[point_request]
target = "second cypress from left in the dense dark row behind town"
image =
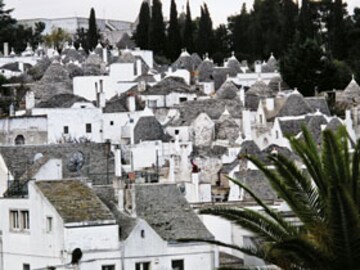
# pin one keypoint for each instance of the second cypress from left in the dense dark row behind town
(157, 37)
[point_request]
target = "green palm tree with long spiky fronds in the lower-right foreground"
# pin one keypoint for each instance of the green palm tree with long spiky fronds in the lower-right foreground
(324, 198)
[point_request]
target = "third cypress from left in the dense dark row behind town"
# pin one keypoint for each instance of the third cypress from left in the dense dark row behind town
(173, 38)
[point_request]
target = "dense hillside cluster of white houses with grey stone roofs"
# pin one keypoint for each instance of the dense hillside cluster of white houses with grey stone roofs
(106, 160)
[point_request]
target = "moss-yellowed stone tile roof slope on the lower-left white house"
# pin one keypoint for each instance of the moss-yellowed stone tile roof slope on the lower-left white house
(74, 201)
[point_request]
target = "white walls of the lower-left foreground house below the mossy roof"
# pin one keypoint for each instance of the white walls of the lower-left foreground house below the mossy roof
(40, 245)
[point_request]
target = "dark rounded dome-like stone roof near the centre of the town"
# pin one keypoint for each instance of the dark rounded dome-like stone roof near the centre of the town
(149, 129)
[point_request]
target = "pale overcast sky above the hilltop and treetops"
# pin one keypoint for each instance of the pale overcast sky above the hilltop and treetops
(126, 10)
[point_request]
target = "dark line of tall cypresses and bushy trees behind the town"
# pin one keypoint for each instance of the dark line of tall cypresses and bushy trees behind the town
(317, 44)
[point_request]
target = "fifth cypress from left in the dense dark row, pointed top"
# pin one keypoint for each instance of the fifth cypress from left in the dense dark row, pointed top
(205, 35)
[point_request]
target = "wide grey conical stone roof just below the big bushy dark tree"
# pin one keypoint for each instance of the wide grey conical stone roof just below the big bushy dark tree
(295, 105)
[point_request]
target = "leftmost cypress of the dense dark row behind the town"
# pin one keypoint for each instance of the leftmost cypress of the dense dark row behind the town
(141, 35)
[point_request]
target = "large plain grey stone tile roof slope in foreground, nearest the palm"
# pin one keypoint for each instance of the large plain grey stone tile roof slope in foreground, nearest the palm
(166, 210)
